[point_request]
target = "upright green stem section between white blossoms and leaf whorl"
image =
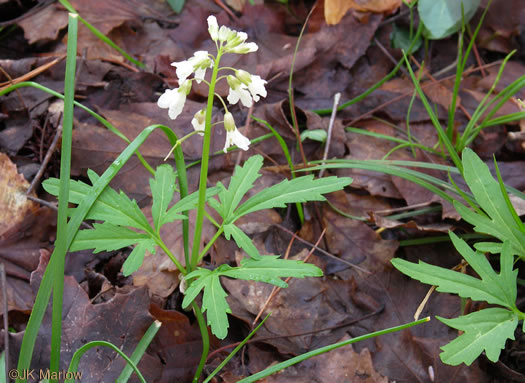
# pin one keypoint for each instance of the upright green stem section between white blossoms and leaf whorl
(204, 168)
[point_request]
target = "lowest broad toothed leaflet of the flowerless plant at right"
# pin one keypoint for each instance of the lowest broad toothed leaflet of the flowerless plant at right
(486, 330)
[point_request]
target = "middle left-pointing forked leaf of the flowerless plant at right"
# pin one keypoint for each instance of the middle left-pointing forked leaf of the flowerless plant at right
(493, 288)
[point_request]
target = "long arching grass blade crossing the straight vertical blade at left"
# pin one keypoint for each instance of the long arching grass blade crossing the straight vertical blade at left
(44, 292)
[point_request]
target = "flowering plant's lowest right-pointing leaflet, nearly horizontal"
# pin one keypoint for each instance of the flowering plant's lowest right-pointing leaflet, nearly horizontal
(270, 268)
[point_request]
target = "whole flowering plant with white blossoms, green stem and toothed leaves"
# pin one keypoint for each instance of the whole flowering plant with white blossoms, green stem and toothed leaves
(122, 223)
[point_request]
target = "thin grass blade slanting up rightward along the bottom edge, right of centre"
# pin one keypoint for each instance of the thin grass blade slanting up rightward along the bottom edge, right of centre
(281, 366)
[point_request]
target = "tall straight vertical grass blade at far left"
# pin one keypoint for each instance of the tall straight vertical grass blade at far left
(61, 245)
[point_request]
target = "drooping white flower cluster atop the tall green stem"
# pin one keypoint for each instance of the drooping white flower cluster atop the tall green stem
(243, 86)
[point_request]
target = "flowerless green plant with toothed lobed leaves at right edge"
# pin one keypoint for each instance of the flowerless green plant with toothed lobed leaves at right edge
(488, 329)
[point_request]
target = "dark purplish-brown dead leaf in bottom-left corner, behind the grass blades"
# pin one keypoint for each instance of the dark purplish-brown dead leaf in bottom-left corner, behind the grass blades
(123, 320)
